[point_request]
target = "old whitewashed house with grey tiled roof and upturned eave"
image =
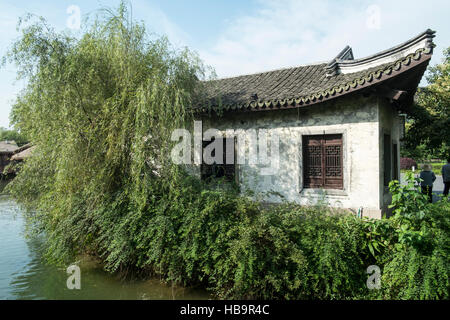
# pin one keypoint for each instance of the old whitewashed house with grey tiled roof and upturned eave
(339, 126)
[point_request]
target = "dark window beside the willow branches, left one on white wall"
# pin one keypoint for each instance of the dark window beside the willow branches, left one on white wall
(221, 170)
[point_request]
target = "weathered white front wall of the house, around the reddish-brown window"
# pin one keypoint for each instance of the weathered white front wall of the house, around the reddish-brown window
(355, 117)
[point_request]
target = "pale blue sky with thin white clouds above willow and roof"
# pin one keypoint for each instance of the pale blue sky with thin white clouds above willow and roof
(238, 37)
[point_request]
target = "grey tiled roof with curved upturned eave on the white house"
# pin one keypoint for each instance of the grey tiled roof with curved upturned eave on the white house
(310, 84)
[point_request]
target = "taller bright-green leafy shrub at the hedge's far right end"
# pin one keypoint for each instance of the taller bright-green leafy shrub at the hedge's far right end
(419, 265)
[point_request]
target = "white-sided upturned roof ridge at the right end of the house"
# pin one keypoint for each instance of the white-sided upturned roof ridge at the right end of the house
(342, 64)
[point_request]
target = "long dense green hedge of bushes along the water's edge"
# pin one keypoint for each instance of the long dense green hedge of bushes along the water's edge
(193, 236)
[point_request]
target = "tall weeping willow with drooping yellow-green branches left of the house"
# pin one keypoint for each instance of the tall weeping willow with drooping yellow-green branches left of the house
(100, 109)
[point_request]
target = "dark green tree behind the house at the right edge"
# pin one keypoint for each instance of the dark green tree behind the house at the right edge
(429, 122)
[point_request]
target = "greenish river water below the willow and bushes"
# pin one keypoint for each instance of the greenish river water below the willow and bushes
(25, 275)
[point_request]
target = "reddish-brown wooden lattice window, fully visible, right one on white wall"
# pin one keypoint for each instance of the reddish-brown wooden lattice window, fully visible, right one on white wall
(322, 161)
